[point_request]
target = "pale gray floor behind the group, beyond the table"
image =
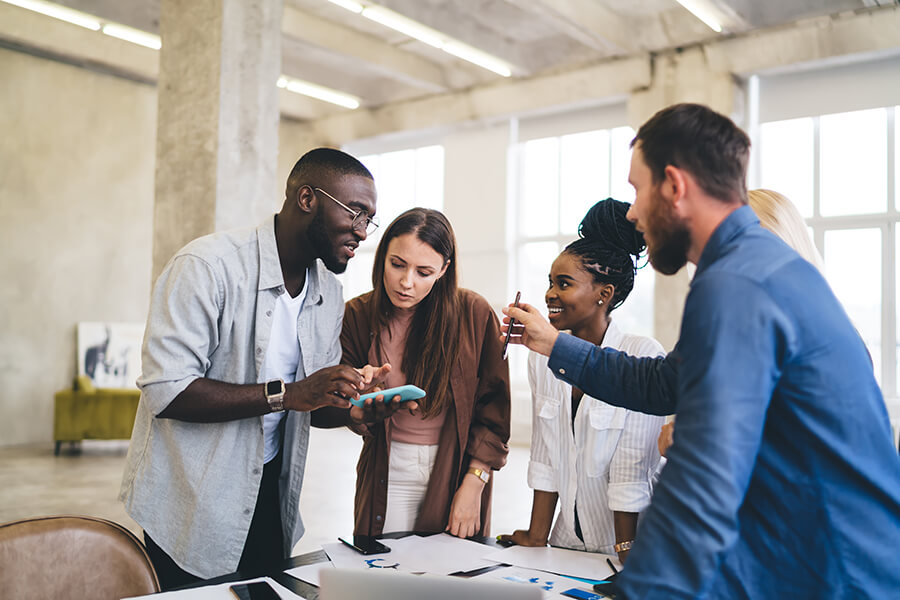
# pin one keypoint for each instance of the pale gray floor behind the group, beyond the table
(34, 482)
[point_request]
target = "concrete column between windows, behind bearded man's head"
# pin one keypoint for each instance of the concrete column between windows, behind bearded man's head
(682, 77)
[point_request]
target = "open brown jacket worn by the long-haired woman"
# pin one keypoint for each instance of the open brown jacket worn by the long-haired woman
(477, 422)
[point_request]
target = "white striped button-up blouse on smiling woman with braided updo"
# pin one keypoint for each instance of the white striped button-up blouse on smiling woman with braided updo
(606, 464)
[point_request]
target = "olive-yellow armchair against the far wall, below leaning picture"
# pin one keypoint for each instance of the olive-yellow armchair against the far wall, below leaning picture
(86, 412)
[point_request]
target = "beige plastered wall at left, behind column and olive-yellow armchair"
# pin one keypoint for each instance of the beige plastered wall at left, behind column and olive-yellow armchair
(76, 217)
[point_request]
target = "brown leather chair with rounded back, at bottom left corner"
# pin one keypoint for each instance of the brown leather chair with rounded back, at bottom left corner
(72, 557)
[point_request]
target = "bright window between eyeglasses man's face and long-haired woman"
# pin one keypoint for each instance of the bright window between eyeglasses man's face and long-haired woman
(404, 179)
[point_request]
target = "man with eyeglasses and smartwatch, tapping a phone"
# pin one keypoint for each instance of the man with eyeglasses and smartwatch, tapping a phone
(242, 342)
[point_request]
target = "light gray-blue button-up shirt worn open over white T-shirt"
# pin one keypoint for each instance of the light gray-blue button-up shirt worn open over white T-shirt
(193, 486)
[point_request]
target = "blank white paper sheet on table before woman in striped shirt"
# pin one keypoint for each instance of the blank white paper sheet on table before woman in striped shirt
(574, 563)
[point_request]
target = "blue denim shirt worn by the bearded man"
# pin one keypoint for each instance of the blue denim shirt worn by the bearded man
(783, 480)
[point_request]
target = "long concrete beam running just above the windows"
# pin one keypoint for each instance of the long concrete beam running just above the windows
(830, 38)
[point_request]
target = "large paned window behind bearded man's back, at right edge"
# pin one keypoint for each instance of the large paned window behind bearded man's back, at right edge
(841, 172)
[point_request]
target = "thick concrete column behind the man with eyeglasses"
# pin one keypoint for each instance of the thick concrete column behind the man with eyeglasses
(217, 133)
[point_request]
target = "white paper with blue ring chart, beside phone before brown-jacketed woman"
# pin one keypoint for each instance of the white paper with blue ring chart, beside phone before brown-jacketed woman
(440, 554)
